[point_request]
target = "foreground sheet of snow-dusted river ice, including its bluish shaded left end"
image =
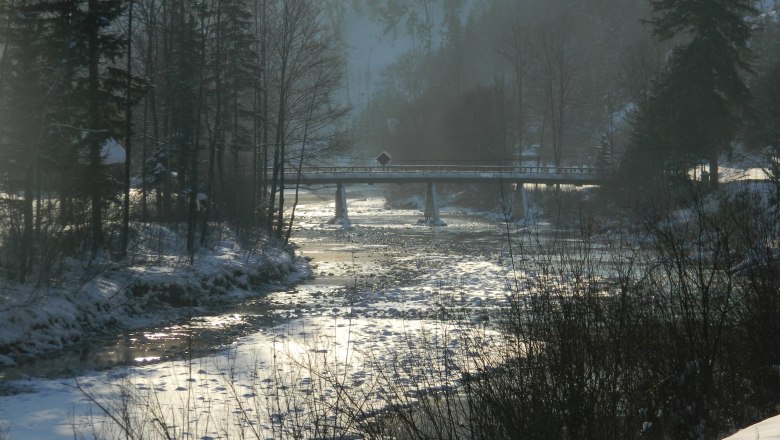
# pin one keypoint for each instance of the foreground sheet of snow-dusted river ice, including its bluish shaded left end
(303, 369)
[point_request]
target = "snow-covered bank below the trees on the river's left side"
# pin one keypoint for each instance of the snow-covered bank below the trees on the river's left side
(154, 284)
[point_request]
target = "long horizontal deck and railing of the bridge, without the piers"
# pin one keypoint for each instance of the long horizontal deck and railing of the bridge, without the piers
(450, 173)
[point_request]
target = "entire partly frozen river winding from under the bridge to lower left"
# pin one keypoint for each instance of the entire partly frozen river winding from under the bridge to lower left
(392, 305)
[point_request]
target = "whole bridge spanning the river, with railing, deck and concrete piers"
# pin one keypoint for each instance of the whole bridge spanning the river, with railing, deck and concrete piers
(432, 174)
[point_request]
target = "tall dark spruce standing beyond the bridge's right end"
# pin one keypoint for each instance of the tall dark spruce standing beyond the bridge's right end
(699, 98)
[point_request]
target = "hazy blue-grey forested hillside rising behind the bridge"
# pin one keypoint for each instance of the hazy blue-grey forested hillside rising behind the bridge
(481, 81)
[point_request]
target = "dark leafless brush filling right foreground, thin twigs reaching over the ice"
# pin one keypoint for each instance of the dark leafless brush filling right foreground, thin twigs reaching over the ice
(666, 334)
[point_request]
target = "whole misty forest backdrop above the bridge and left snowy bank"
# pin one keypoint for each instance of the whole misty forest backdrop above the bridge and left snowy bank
(217, 101)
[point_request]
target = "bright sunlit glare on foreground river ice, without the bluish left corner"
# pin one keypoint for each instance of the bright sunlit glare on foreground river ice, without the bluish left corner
(295, 377)
